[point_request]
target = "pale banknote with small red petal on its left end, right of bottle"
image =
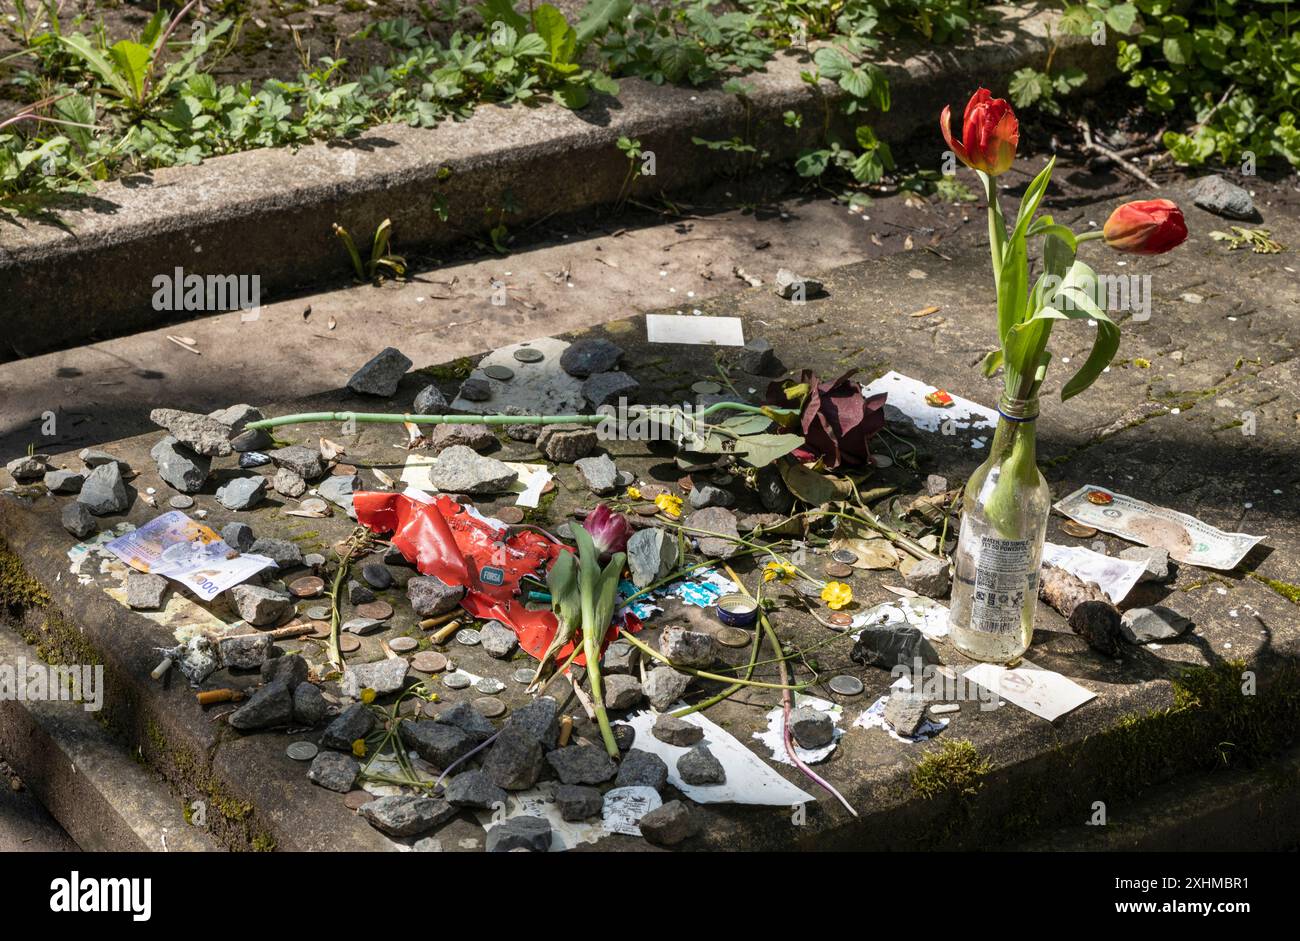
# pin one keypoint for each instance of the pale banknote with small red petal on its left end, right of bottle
(1188, 539)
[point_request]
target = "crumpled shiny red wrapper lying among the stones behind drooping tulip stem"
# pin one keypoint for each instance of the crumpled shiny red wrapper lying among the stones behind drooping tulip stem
(462, 547)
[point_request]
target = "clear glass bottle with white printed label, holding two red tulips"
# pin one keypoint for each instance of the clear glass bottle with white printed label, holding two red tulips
(1000, 544)
